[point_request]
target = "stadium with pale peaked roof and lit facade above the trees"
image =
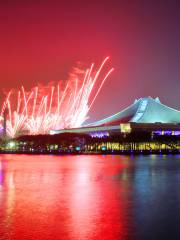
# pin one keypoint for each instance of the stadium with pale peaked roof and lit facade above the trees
(144, 114)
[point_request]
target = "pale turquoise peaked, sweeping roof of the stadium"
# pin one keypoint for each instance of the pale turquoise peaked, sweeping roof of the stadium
(143, 110)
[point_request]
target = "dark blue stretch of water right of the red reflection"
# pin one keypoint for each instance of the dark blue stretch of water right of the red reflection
(156, 197)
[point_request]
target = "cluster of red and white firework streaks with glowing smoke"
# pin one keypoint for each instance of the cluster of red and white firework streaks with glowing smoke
(65, 105)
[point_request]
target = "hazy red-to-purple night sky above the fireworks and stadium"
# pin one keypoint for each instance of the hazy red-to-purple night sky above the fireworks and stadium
(42, 40)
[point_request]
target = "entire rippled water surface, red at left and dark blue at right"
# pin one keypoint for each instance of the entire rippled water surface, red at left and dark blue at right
(89, 197)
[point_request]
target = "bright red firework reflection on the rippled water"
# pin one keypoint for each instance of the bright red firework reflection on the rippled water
(74, 197)
